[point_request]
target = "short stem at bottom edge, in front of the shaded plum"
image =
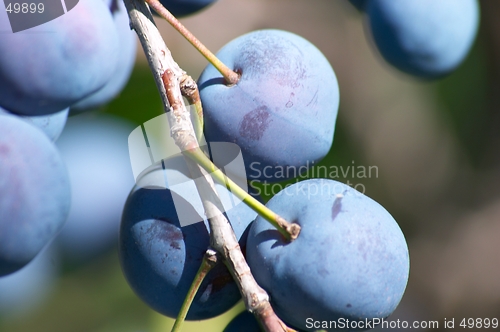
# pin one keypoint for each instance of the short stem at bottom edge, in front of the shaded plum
(210, 259)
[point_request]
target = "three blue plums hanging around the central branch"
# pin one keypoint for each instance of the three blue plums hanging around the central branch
(350, 259)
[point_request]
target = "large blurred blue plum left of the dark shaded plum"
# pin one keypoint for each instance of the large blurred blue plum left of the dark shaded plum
(94, 149)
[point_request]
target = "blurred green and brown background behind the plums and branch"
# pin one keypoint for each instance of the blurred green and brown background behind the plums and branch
(436, 146)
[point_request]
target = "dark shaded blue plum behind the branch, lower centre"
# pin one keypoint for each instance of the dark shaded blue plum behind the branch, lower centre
(160, 252)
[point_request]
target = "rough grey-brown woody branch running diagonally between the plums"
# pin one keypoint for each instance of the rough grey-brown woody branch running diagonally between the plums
(168, 77)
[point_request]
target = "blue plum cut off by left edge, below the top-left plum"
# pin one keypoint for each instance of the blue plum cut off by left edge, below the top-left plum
(34, 193)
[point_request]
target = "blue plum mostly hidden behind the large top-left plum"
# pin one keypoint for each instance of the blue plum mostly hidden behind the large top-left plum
(124, 63)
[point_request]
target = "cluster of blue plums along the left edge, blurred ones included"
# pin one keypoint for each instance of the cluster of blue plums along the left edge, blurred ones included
(66, 187)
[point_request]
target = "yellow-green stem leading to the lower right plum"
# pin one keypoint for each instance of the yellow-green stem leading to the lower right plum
(289, 230)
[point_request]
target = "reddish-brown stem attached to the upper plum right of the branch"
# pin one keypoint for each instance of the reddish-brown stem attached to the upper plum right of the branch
(231, 76)
